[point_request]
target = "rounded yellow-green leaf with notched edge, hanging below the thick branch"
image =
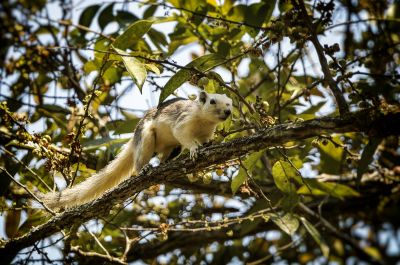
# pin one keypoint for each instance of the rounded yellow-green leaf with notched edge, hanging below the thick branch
(282, 172)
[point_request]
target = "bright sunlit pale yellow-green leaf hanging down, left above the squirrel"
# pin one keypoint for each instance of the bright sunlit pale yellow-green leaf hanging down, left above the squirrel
(136, 68)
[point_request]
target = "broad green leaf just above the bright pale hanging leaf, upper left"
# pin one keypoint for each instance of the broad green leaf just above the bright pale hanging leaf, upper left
(132, 34)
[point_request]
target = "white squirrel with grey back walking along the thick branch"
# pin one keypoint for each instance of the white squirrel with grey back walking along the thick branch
(176, 122)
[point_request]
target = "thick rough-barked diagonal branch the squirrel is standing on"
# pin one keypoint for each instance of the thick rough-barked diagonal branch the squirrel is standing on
(365, 121)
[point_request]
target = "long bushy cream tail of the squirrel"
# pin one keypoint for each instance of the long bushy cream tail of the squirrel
(119, 169)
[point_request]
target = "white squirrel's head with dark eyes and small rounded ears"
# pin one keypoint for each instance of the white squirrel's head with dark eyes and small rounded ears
(217, 107)
